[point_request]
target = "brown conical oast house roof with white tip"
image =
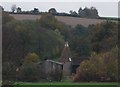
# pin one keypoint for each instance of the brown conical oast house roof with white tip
(66, 53)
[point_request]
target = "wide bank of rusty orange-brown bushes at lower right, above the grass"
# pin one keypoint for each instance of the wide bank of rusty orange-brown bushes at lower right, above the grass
(100, 67)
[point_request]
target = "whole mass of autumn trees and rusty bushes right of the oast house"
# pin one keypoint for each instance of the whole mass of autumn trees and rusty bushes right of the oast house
(103, 62)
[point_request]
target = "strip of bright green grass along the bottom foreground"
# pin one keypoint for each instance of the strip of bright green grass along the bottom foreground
(61, 84)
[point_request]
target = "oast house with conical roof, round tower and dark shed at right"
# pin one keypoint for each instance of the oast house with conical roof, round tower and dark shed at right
(70, 64)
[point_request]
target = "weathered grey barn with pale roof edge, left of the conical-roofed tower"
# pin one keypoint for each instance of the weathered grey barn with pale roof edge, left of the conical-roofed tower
(53, 70)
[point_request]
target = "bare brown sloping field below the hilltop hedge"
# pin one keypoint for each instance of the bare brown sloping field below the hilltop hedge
(73, 21)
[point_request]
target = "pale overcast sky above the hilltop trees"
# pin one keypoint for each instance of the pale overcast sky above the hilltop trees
(106, 8)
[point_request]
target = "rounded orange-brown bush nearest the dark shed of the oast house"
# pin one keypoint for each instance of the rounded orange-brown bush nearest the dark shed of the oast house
(86, 72)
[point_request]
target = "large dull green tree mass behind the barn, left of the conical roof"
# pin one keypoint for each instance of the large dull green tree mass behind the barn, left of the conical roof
(35, 38)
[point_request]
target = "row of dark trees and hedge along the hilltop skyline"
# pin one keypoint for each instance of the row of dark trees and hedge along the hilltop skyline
(84, 13)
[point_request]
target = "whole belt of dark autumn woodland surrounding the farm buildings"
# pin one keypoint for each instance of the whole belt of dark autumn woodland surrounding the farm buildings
(28, 42)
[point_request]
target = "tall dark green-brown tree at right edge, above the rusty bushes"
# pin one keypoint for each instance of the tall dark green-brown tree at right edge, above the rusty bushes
(103, 34)
